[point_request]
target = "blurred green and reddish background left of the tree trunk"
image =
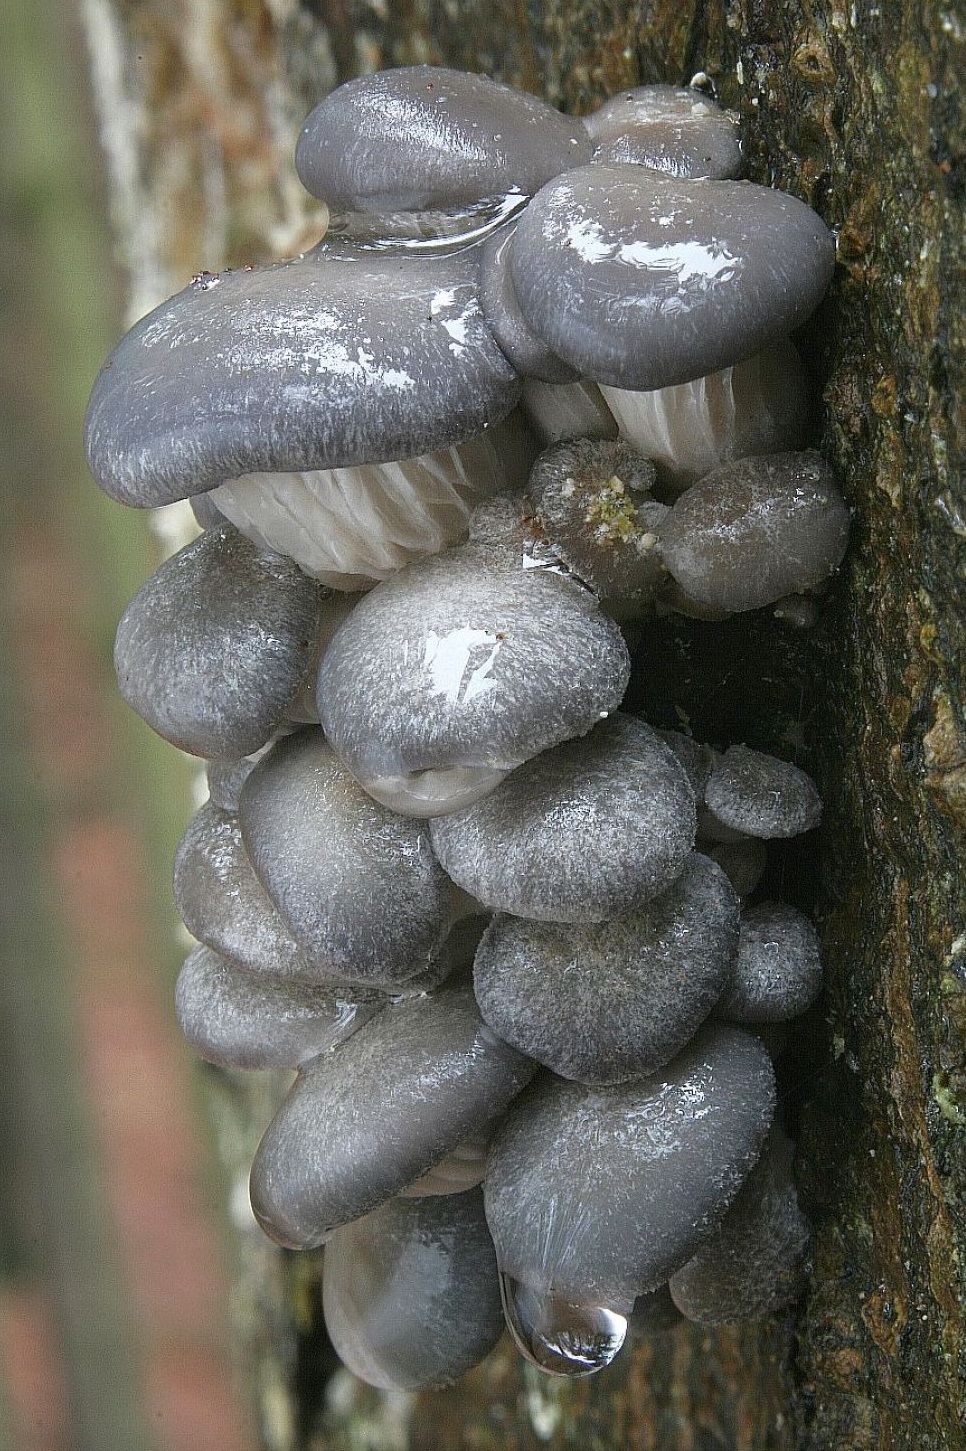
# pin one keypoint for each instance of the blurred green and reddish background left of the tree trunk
(114, 1278)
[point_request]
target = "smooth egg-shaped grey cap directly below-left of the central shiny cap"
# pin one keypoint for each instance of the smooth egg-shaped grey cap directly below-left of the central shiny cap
(358, 886)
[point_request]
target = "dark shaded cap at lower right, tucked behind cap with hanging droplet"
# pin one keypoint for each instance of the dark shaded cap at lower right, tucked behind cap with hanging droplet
(754, 1263)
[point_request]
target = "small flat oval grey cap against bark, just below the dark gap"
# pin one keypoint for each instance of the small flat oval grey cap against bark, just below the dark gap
(762, 796)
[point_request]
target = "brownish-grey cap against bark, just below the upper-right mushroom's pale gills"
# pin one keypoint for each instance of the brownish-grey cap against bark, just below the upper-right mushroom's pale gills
(756, 530)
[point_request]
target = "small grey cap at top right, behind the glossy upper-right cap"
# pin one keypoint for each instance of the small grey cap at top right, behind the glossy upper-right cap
(674, 130)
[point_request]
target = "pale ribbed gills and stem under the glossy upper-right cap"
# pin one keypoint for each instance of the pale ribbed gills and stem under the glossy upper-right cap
(758, 407)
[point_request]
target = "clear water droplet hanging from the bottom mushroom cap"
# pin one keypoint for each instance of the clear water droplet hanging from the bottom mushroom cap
(559, 1337)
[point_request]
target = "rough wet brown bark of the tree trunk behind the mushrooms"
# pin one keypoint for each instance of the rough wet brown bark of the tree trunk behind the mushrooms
(859, 110)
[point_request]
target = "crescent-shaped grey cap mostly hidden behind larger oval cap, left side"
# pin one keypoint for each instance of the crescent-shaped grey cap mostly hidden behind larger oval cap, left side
(223, 903)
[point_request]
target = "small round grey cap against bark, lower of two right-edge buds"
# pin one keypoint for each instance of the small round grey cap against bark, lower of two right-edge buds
(778, 971)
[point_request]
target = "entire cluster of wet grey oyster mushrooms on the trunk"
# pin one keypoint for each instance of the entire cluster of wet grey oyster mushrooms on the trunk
(533, 387)
